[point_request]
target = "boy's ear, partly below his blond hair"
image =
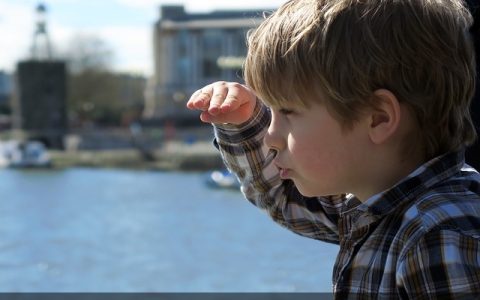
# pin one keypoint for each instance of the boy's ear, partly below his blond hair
(384, 118)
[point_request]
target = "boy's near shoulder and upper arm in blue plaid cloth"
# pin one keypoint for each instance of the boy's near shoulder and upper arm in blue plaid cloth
(441, 234)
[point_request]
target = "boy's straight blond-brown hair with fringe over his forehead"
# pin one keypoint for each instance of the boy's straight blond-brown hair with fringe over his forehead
(338, 52)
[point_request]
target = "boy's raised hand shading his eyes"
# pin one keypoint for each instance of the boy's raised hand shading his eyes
(223, 102)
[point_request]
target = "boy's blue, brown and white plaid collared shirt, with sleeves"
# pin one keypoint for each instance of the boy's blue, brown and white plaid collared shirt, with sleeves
(418, 240)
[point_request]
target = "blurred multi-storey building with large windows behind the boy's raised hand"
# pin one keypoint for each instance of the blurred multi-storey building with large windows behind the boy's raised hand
(192, 50)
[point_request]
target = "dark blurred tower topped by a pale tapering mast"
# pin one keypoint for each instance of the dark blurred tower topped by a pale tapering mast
(39, 106)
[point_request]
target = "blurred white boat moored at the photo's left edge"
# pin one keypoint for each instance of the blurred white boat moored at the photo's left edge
(19, 154)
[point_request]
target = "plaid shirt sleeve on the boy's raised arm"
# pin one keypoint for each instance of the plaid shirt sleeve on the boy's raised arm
(245, 154)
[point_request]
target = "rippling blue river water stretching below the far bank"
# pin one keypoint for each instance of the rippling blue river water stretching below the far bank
(97, 230)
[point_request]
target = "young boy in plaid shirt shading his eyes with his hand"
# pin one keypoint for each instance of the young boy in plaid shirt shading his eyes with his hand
(358, 140)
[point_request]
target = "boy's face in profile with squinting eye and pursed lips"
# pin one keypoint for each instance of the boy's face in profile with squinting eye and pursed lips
(314, 151)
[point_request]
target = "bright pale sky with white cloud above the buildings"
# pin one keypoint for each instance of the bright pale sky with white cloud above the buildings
(124, 25)
